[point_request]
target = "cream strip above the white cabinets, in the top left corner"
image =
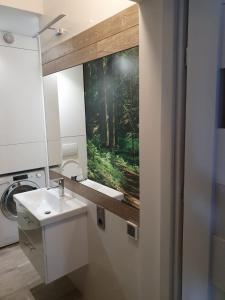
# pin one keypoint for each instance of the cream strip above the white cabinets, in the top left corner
(35, 6)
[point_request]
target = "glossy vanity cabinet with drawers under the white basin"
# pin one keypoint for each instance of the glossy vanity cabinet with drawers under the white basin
(55, 249)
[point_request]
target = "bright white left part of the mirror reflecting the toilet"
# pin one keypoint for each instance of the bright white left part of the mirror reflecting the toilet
(65, 122)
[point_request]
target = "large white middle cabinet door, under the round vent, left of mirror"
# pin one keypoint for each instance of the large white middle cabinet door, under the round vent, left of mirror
(21, 113)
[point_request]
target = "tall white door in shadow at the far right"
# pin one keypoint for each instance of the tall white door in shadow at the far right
(203, 66)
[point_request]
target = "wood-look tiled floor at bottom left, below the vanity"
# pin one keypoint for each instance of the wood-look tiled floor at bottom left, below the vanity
(20, 281)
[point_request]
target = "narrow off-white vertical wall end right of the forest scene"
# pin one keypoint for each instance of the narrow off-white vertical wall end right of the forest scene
(150, 147)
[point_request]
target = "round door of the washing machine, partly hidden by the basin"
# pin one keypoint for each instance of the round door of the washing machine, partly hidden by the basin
(8, 205)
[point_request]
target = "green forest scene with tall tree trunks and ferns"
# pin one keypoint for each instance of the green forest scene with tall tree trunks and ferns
(112, 121)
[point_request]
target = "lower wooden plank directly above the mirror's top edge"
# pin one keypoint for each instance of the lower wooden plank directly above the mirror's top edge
(121, 41)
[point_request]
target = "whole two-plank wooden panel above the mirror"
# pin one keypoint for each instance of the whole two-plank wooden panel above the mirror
(117, 33)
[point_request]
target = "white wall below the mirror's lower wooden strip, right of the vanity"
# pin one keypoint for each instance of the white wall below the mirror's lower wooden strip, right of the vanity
(112, 272)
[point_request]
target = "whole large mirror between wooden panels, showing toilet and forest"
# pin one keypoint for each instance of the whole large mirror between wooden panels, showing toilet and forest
(92, 122)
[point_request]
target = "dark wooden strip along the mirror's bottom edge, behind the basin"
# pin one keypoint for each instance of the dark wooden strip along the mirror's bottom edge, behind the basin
(116, 207)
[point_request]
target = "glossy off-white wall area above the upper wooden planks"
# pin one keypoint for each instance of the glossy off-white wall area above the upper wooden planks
(81, 15)
